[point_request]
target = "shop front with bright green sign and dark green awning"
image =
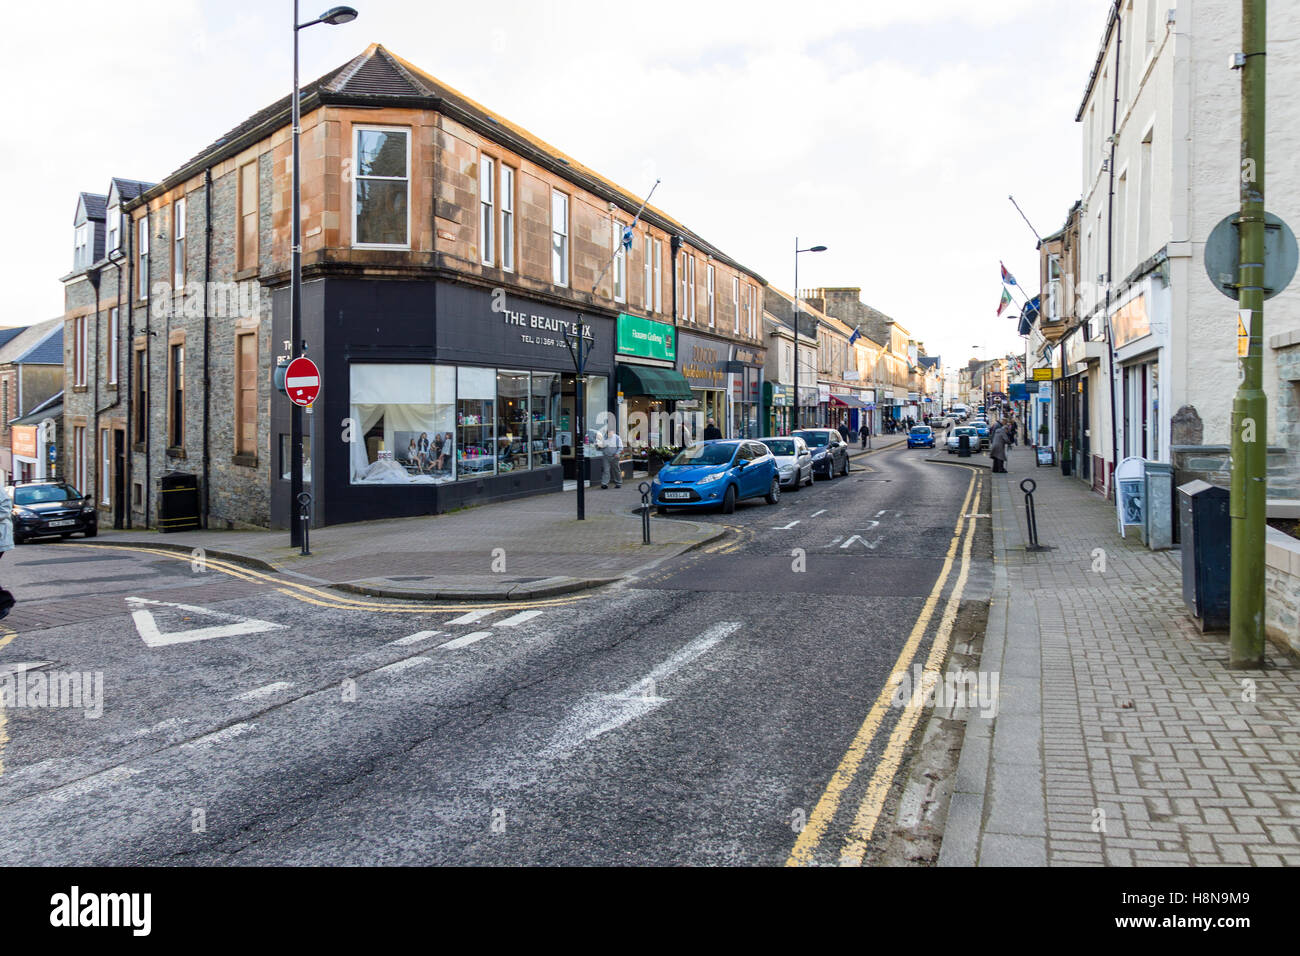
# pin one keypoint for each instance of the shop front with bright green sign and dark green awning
(649, 387)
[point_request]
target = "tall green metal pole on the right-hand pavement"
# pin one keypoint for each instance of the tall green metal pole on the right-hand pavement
(1250, 408)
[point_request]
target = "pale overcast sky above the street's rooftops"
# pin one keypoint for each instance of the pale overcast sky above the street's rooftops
(890, 132)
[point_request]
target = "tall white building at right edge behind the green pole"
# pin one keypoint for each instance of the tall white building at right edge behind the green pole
(1164, 89)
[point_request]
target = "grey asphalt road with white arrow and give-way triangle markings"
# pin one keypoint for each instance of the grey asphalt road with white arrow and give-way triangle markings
(695, 716)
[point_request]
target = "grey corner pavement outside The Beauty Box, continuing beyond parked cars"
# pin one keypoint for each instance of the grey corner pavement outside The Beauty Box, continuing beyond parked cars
(526, 550)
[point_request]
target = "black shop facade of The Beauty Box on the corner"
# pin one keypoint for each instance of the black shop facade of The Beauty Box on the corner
(436, 396)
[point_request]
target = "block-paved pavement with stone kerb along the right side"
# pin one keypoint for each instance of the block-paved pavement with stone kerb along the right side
(1121, 737)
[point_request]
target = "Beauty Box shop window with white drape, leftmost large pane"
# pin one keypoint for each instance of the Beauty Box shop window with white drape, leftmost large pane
(402, 423)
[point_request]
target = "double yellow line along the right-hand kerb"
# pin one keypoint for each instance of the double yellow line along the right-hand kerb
(869, 812)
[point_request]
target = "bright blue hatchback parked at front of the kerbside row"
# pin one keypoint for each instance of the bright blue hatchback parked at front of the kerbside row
(717, 474)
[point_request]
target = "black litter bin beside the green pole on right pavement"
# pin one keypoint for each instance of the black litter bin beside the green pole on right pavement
(1206, 533)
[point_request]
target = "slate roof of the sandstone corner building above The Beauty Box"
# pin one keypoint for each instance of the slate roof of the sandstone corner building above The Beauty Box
(379, 77)
